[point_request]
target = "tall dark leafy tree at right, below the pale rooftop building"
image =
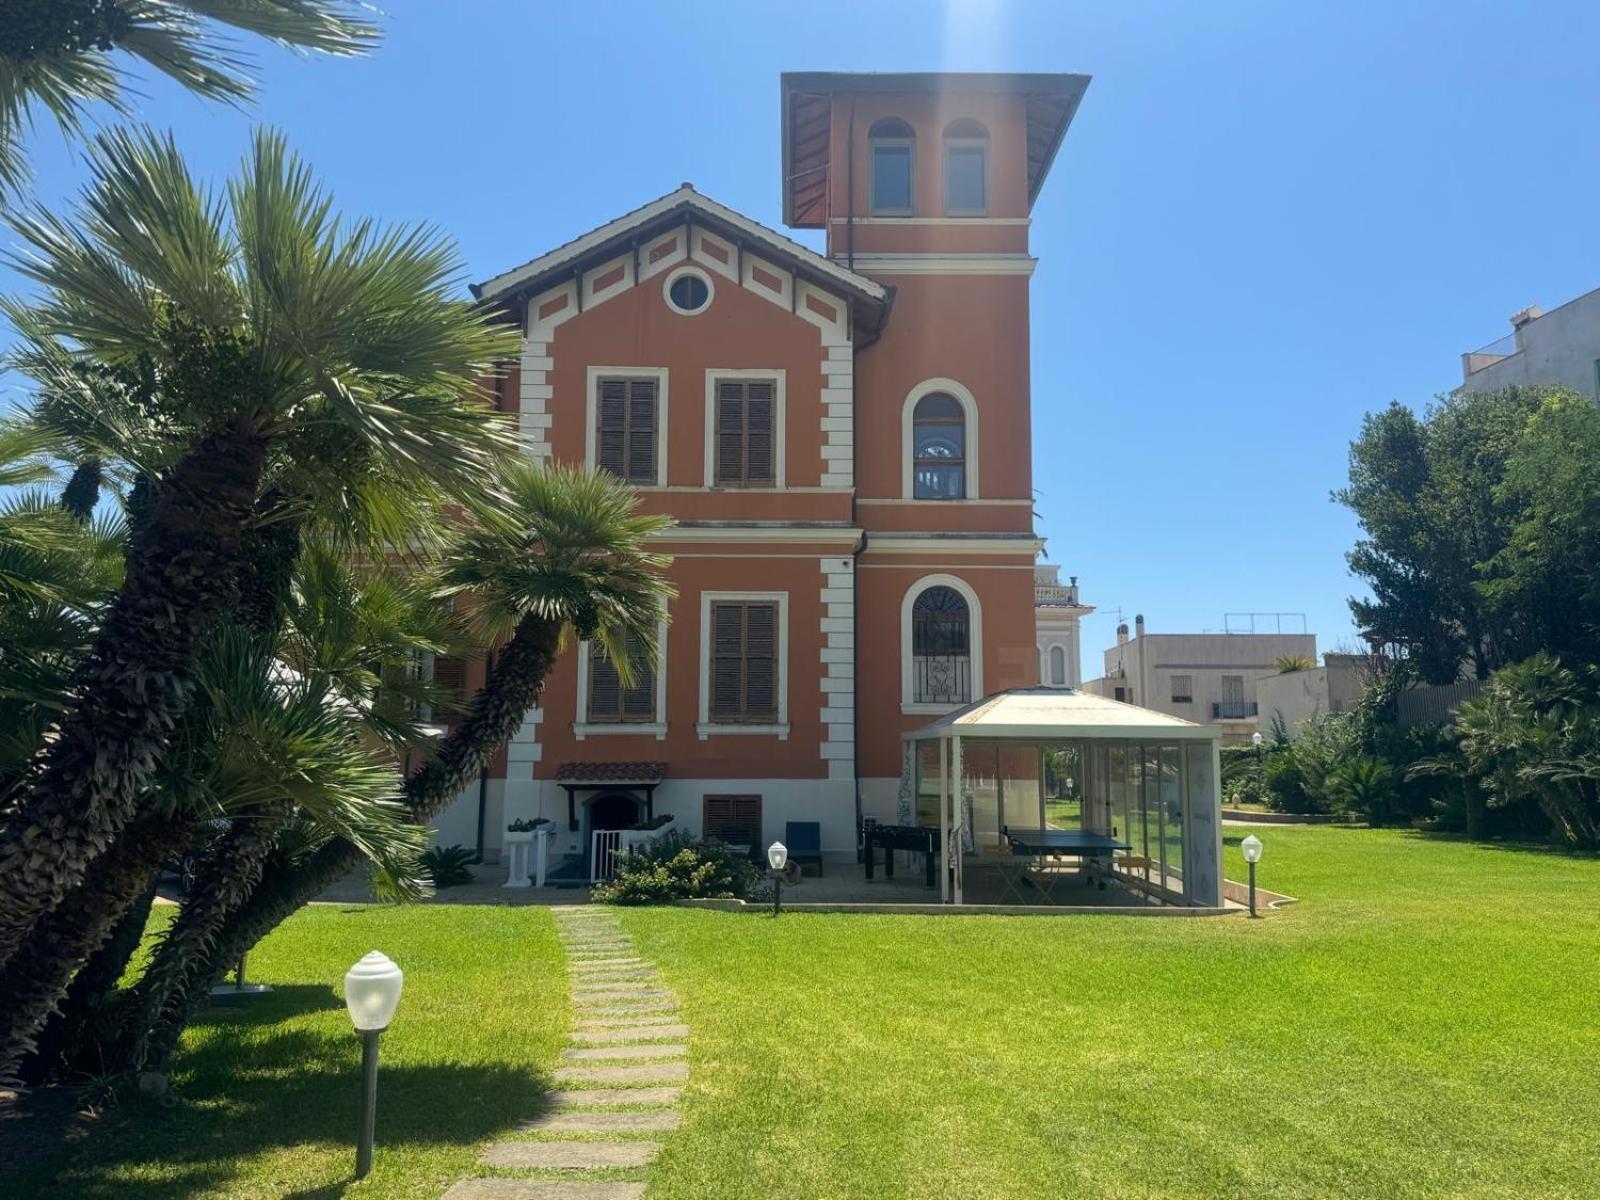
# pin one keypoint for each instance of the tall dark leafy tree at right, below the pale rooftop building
(1471, 553)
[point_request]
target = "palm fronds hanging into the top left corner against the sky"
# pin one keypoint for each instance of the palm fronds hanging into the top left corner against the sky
(58, 57)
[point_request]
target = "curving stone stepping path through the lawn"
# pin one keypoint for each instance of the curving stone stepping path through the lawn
(622, 1079)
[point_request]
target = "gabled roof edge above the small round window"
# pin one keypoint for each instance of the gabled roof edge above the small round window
(663, 214)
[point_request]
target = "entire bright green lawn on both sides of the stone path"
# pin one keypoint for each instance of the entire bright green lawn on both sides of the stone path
(1423, 1025)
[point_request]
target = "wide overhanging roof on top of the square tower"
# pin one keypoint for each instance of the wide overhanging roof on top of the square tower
(809, 97)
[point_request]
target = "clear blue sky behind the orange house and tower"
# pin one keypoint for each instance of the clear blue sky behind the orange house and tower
(1266, 220)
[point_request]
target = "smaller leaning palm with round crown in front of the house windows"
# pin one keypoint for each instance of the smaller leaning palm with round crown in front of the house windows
(564, 553)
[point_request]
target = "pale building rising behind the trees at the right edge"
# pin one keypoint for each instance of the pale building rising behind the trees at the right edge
(1561, 346)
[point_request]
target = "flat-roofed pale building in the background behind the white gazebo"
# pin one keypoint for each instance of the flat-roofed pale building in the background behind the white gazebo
(1202, 678)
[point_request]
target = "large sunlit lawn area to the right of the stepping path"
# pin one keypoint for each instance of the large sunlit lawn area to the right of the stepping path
(1425, 1025)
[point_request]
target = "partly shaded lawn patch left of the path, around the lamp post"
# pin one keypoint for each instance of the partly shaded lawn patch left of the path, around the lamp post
(268, 1098)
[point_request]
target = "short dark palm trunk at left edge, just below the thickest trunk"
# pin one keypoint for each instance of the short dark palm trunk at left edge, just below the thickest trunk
(58, 945)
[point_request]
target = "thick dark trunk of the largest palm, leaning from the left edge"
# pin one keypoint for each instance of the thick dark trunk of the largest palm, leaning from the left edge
(135, 684)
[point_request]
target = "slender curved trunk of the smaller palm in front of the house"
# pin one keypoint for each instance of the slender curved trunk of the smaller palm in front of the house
(497, 711)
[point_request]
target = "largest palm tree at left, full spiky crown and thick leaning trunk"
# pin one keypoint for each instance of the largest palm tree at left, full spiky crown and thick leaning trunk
(268, 334)
